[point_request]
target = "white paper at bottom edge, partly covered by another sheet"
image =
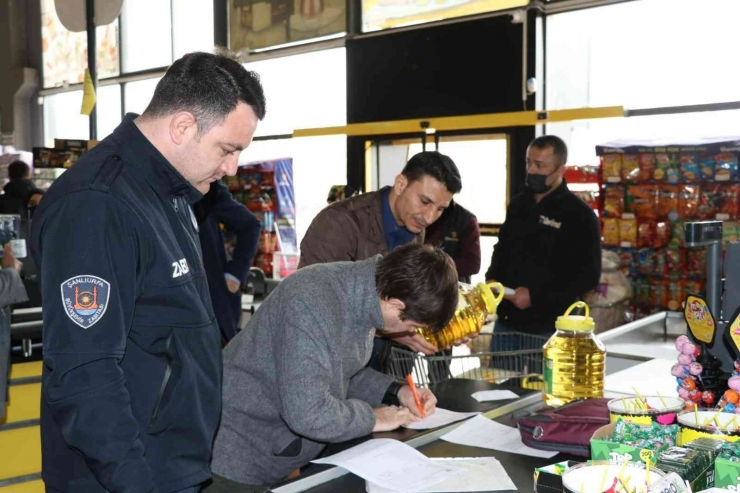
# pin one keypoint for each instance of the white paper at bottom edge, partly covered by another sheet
(480, 474)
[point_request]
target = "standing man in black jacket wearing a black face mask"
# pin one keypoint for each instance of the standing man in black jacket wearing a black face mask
(549, 247)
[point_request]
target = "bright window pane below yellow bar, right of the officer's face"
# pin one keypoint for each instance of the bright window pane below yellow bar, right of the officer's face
(318, 163)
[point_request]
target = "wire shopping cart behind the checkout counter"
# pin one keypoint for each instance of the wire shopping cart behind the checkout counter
(516, 361)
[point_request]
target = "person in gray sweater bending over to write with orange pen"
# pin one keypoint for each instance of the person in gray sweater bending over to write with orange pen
(296, 378)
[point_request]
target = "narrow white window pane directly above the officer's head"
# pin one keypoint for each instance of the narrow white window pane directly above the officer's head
(193, 26)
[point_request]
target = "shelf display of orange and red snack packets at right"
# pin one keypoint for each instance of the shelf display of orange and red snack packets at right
(648, 192)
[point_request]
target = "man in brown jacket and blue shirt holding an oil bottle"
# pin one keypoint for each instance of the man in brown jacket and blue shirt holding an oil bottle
(377, 222)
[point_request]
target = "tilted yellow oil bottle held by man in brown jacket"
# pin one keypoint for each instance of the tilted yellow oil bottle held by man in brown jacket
(474, 306)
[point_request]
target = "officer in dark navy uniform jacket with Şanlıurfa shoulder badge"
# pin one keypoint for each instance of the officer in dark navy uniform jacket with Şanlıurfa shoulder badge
(131, 389)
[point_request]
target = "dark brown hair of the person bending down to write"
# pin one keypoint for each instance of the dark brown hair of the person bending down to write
(424, 279)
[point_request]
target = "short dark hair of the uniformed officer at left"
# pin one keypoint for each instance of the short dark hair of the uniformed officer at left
(210, 86)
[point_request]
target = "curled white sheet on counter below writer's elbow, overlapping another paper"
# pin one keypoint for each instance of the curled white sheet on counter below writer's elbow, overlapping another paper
(392, 464)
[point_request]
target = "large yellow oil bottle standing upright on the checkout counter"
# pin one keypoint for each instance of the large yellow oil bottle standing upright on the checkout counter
(574, 359)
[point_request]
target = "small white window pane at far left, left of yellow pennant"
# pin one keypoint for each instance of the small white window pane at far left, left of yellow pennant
(62, 118)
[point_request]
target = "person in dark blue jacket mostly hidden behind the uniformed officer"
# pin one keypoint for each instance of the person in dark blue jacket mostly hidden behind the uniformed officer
(226, 276)
